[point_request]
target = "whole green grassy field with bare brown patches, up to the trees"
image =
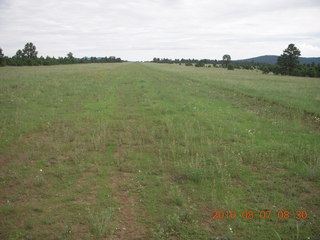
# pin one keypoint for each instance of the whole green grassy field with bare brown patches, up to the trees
(150, 151)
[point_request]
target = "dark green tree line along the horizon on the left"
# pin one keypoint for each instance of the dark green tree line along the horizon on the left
(28, 57)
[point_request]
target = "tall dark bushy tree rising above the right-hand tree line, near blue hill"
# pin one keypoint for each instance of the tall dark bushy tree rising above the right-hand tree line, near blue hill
(289, 60)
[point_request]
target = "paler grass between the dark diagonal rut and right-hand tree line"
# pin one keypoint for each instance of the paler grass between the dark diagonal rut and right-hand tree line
(297, 92)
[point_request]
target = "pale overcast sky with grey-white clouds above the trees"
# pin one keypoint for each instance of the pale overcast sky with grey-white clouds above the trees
(143, 29)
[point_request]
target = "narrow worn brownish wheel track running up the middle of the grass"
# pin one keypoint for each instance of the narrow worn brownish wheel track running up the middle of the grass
(128, 211)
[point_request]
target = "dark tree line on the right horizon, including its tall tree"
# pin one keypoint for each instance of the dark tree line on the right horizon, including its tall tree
(287, 64)
